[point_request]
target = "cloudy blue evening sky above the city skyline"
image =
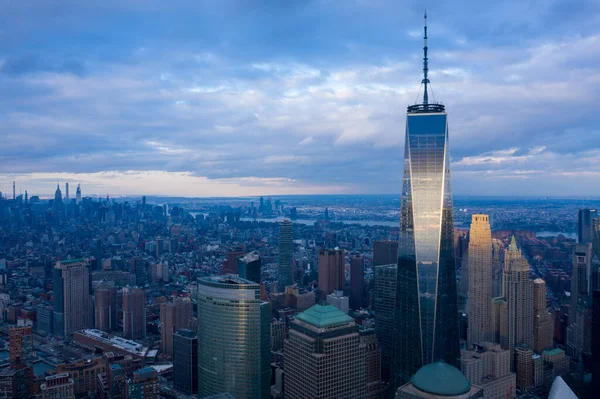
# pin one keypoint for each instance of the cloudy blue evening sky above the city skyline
(250, 97)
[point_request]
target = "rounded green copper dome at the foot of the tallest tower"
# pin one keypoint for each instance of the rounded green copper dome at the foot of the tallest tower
(441, 379)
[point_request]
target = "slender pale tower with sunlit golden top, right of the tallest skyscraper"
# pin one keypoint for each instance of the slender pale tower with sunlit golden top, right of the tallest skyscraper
(480, 280)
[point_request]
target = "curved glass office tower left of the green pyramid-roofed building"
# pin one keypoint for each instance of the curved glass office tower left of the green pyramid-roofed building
(233, 338)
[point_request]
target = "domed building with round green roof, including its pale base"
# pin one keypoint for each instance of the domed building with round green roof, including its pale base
(439, 380)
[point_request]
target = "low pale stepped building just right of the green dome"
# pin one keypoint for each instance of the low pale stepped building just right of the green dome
(488, 366)
